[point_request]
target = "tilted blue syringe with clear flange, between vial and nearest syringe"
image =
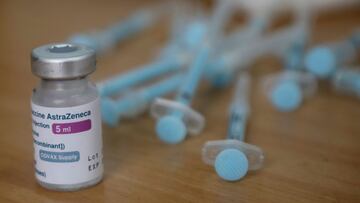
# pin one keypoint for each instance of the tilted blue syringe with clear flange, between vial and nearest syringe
(175, 119)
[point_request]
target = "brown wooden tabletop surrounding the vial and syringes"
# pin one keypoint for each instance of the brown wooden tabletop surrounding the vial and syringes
(311, 153)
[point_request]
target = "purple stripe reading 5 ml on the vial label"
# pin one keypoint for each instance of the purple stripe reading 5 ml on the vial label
(70, 128)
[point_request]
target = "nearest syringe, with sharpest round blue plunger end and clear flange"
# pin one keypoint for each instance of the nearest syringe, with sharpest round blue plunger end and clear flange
(232, 158)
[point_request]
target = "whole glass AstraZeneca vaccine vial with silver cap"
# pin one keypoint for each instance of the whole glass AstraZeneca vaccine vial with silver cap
(66, 118)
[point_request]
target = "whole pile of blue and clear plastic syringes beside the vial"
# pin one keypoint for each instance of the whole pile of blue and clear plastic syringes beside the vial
(199, 49)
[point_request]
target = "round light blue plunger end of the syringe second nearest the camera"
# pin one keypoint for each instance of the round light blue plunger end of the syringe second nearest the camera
(171, 129)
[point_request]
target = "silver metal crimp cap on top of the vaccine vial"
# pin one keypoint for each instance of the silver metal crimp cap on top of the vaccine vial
(62, 61)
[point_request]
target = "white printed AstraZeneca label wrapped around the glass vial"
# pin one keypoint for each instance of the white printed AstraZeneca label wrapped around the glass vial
(67, 143)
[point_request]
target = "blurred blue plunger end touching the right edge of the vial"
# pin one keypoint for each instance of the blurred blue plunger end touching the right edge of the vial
(108, 113)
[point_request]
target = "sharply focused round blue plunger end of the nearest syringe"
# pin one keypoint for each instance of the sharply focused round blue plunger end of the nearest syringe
(231, 164)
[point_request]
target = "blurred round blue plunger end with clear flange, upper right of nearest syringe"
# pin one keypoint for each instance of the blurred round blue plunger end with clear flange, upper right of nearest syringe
(286, 96)
